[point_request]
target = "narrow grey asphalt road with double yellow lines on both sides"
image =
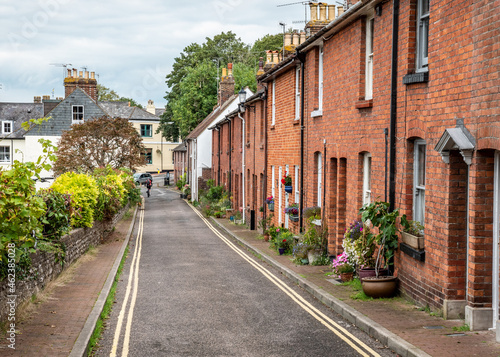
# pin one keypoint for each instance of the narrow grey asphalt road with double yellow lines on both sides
(187, 290)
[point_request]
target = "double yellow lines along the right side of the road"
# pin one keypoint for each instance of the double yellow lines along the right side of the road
(340, 331)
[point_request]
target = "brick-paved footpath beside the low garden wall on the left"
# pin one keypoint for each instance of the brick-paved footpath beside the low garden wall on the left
(55, 324)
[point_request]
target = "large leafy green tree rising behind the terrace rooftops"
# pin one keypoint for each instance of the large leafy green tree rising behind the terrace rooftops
(193, 79)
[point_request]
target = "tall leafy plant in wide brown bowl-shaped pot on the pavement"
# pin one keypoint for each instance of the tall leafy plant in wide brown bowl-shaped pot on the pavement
(387, 239)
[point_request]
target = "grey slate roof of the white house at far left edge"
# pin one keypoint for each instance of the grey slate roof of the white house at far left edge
(19, 113)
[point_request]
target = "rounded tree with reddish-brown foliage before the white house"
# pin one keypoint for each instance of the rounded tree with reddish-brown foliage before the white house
(98, 143)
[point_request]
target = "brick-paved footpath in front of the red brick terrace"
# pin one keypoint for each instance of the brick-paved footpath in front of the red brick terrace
(397, 315)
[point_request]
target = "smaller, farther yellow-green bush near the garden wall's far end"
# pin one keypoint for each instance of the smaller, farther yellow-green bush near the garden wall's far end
(112, 194)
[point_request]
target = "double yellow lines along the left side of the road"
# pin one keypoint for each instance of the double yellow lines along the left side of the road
(133, 278)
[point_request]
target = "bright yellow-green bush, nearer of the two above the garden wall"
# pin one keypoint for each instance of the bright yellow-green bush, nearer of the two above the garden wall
(84, 192)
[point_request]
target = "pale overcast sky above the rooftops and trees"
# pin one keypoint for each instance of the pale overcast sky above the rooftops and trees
(131, 45)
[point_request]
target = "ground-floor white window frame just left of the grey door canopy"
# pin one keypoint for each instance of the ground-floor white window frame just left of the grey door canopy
(418, 188)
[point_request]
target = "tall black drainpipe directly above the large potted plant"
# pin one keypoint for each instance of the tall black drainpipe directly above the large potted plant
(393, 110)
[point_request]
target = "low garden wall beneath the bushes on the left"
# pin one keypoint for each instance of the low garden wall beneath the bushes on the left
(44, 267)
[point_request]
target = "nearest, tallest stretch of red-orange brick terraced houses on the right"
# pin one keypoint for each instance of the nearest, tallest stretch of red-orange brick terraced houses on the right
(400, 103)
